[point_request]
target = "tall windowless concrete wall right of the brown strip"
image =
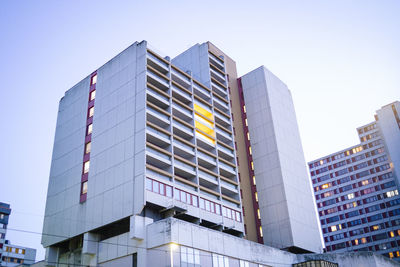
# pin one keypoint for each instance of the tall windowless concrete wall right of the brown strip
(286, 201)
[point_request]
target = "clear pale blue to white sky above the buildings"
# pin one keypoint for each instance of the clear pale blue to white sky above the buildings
(341, 60)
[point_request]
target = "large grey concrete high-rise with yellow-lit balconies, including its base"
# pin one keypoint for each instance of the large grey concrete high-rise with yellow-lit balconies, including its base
(178, 162)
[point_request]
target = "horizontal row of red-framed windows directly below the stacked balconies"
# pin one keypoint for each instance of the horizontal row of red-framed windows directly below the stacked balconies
(183, 196)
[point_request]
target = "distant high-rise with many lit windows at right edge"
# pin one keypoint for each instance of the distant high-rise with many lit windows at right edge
(357, 189)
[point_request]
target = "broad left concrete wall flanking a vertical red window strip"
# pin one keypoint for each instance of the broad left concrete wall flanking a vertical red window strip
(115, 183)
